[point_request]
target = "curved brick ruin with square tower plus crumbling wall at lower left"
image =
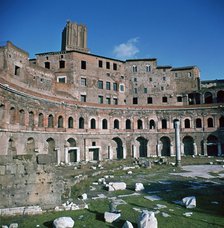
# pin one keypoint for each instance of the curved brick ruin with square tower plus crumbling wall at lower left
(70, 106)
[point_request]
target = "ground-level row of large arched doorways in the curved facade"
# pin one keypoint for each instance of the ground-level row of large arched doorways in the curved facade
(213, 147)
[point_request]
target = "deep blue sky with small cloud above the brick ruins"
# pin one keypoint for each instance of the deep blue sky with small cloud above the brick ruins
(176, 32)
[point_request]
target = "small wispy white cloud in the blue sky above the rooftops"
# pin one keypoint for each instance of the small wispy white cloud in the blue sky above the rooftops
(126, 50)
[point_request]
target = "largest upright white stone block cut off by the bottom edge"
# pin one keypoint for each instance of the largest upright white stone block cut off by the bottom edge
(147, 219)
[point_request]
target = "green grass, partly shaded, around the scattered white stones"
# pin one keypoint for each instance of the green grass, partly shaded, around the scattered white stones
(208, 213)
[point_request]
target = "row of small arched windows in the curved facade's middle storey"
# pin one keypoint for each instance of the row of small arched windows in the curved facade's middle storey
(188, 123)
